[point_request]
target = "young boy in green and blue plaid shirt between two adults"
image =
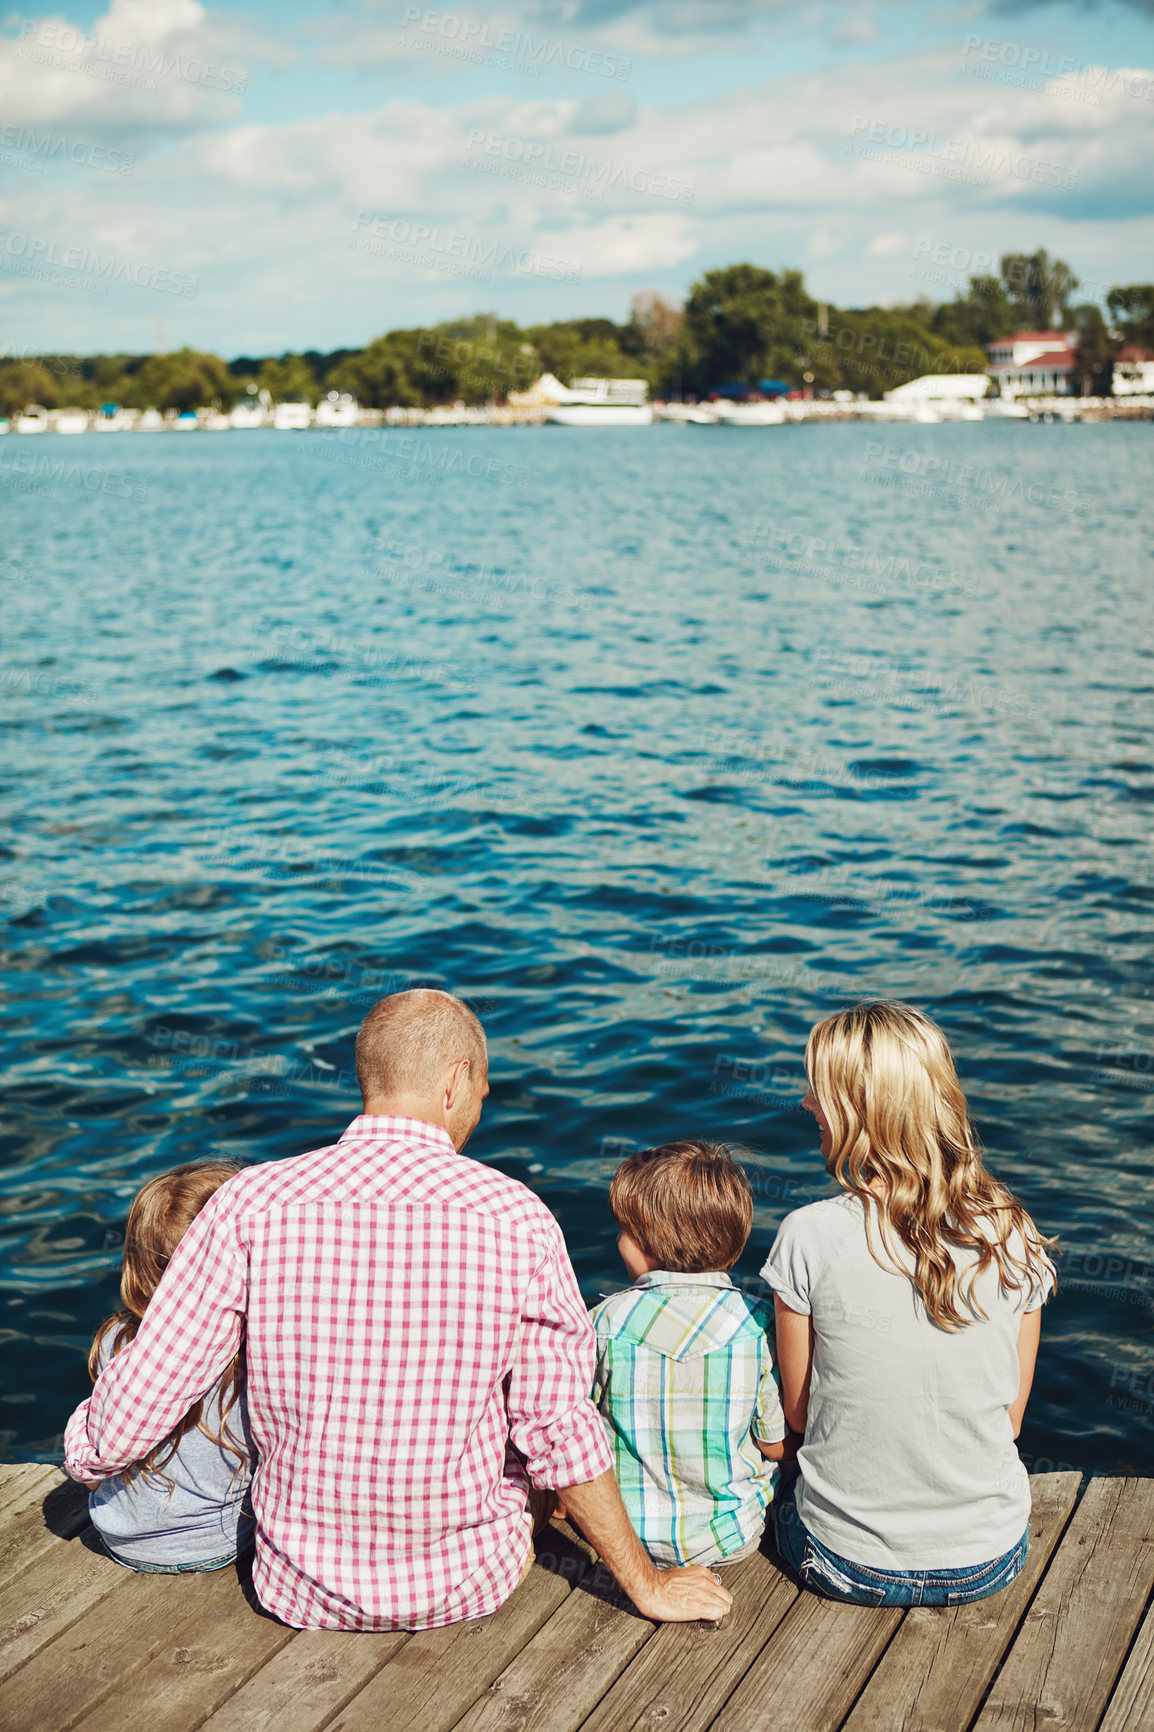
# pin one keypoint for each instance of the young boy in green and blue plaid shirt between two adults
(685, 1378)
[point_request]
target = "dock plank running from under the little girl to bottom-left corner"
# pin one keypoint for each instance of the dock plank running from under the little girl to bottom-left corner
(112, 1641)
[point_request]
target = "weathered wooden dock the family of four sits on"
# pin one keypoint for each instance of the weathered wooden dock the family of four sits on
(1068, 1646)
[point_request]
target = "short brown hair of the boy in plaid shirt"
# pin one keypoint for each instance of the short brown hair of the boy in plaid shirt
(689, 1206)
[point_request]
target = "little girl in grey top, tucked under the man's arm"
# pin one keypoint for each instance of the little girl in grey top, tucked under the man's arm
(185, 1506)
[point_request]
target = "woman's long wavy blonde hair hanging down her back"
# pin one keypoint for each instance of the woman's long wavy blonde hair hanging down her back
(900, 1134)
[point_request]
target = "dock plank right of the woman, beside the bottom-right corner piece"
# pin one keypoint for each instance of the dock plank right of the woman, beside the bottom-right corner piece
(1072, 1646)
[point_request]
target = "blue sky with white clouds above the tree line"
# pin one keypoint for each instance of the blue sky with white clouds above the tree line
(295, 174)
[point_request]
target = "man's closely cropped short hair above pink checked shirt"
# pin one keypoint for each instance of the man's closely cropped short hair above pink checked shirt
(410, 1040)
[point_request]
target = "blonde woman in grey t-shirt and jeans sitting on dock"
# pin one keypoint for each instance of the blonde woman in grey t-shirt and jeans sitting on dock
(907, 1326)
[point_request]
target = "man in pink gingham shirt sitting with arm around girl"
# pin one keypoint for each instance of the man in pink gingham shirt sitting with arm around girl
(406, 1315)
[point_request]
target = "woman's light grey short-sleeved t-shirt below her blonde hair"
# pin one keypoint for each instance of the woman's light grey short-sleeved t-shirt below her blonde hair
(909, 1459)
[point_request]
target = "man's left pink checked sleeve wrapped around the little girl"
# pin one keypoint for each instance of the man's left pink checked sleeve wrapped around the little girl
(190, 1335)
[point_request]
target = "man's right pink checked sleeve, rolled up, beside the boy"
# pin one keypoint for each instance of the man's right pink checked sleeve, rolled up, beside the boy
(552, 1419)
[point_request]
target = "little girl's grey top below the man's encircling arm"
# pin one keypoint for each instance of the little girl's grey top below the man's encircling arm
(198, 1520)
